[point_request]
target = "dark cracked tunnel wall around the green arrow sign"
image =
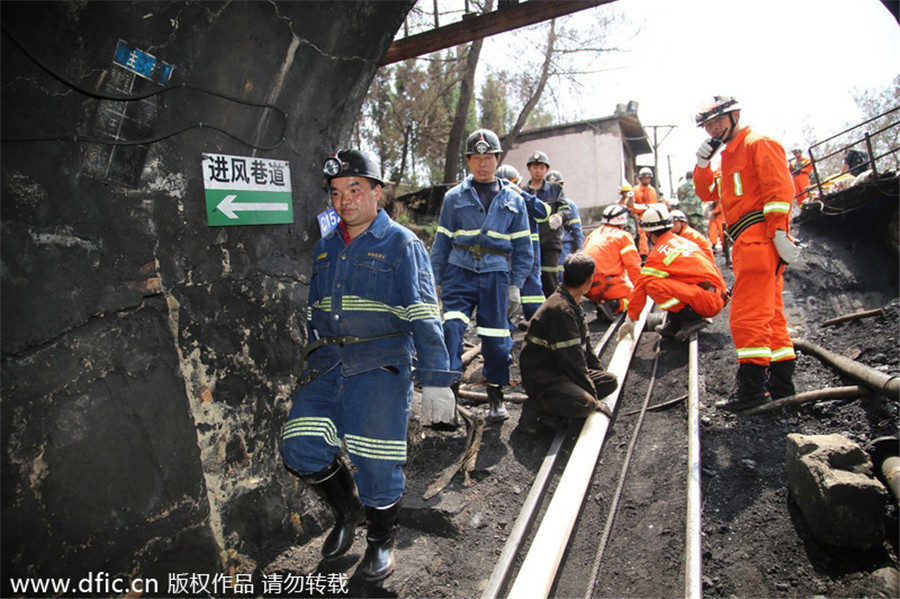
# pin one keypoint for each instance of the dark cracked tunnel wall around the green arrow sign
(148, 357)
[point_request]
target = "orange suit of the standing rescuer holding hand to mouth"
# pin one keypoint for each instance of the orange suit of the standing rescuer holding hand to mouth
(756, 192)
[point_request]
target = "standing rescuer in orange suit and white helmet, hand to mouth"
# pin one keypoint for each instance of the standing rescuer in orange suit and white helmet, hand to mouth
(756, 193)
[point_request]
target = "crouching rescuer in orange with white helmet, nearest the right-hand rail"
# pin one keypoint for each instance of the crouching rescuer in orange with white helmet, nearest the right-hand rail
(679, 277)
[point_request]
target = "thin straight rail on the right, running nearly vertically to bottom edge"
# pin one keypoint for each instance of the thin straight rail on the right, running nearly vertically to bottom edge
(693, 579)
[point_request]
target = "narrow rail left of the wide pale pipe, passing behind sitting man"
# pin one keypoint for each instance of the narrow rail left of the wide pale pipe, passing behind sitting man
(532, 501)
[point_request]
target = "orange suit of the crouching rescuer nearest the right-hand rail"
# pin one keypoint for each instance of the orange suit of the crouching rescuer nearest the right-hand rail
(677, 273)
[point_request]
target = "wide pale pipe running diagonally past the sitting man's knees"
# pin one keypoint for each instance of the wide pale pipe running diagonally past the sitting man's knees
(540, 565)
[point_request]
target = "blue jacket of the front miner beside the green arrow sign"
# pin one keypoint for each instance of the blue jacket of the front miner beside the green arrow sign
(380, 284)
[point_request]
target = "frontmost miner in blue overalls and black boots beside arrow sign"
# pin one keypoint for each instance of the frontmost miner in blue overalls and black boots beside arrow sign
(372, 306)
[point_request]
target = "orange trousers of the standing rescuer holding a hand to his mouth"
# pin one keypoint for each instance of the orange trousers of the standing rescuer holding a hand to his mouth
(758, 323)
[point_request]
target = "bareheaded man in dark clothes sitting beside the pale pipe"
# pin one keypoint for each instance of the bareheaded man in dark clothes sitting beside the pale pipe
(560, 373)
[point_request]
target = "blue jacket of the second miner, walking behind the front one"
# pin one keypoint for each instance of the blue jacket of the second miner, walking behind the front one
(503, 231)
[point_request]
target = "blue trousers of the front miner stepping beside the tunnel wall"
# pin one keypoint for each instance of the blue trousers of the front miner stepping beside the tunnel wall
(370, 411)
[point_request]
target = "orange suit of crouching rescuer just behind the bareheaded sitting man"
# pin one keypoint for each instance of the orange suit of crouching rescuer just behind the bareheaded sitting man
(614, 254)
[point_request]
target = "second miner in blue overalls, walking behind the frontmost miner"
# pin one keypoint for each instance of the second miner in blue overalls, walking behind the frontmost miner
(481, 257)
